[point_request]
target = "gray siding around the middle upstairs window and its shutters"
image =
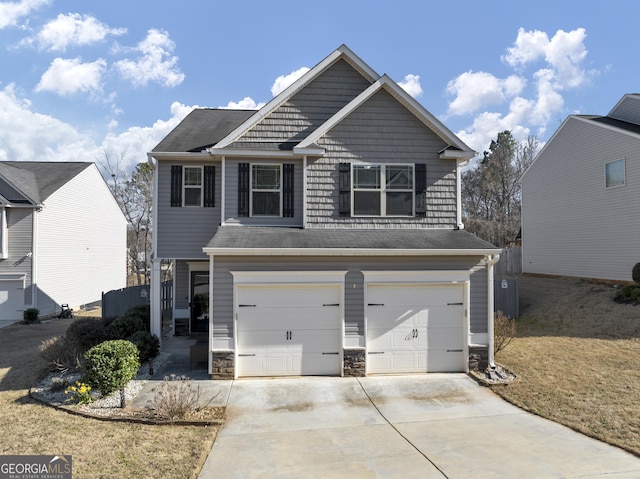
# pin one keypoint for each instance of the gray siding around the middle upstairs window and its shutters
(231, 195)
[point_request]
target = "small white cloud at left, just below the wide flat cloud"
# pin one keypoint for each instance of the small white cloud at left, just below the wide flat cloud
(68, 76)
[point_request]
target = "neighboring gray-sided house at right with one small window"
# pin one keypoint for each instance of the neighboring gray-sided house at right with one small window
(580, 195)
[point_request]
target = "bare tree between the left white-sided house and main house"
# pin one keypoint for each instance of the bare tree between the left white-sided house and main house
(134, 192)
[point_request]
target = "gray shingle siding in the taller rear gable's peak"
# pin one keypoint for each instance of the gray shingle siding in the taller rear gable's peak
(308, 109)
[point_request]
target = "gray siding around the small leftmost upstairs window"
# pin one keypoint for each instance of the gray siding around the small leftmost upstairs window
(181, 232)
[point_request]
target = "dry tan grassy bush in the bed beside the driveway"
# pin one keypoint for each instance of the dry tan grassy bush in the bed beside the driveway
(176, 398)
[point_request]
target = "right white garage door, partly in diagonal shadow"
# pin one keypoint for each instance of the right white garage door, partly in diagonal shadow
(415, 328)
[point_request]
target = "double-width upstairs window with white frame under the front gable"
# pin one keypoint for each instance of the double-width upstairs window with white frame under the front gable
(383, 190)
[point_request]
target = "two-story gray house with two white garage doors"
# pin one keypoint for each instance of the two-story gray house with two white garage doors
(322, 234)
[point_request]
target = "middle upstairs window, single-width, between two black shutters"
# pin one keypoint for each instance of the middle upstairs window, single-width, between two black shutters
(266, 190)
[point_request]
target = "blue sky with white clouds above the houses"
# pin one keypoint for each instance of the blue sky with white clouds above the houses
(80, 79)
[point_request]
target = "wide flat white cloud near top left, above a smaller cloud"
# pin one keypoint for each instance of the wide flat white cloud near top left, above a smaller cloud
(70, 30)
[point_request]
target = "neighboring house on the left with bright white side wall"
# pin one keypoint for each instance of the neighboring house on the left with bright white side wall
(62, 237)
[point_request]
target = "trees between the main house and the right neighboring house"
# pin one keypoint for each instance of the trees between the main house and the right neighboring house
(492, 192)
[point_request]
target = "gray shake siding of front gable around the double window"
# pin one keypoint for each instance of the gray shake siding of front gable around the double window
(381, 130)
